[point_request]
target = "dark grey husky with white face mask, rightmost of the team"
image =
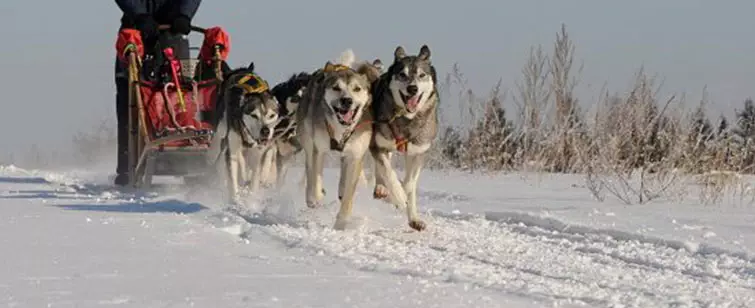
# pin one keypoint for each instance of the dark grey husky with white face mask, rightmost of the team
(406, 120)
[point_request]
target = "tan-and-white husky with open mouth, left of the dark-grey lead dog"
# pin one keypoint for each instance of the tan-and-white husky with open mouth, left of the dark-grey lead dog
(336, 115)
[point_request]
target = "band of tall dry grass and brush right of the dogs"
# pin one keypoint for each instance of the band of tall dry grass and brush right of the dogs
(634, 146)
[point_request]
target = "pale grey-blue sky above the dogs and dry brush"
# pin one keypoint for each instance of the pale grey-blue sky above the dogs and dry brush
(57, 56)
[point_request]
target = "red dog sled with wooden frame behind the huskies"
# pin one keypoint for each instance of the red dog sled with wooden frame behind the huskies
(171, 105)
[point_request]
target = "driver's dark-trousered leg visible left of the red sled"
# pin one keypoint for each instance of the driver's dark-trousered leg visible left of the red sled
(121, 110)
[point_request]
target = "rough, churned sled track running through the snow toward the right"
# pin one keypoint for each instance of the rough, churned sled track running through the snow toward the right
(591, 269)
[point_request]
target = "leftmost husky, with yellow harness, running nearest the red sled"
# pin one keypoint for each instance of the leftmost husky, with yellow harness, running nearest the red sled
(246, 115)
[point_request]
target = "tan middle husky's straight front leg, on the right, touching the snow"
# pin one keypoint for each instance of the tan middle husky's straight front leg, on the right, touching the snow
(350, 166)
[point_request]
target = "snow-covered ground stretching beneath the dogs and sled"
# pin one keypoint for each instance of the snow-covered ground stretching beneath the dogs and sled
(70, 240)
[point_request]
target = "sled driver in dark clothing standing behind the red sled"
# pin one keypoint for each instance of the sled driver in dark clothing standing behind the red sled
(145, 16)
